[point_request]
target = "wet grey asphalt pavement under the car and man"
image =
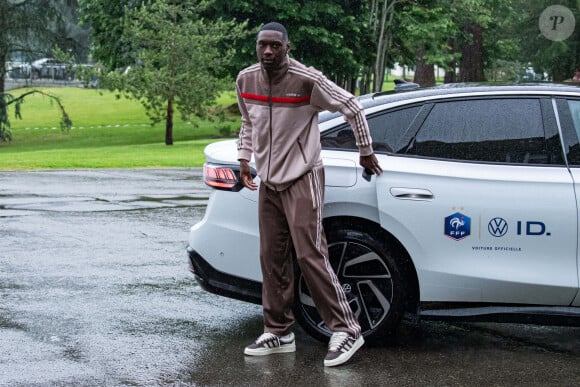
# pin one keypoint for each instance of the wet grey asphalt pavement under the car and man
(95, 291)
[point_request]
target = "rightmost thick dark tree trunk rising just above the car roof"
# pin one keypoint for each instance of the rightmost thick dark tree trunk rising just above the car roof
(472, 55)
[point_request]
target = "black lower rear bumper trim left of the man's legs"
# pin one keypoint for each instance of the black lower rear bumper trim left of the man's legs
(223, 284)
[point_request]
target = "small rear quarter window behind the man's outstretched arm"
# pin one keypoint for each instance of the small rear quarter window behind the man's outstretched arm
(386, 130)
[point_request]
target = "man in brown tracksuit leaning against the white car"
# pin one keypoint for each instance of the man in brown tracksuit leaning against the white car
(279, 99)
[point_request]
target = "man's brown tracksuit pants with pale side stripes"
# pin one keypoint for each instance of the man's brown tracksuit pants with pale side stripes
(293, 218)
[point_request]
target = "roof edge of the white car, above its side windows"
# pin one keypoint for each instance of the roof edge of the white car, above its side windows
(377, 99)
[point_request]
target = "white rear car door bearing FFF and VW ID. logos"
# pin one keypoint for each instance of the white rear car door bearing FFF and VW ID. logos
(478, 193)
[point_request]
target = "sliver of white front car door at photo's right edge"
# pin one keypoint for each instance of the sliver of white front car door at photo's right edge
(569, 119)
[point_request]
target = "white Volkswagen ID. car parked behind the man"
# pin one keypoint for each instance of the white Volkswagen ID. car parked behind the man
(474, 218)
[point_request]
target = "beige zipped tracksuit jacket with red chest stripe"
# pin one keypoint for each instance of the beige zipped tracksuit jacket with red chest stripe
(280, 120)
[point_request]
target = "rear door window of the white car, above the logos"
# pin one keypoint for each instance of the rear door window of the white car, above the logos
(505, 130)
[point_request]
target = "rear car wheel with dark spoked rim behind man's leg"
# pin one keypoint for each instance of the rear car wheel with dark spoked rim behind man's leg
(370, 278)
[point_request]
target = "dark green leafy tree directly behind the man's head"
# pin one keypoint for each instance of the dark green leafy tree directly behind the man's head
(331, 35)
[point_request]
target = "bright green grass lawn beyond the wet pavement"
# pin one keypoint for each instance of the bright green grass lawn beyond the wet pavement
(107, 133)
